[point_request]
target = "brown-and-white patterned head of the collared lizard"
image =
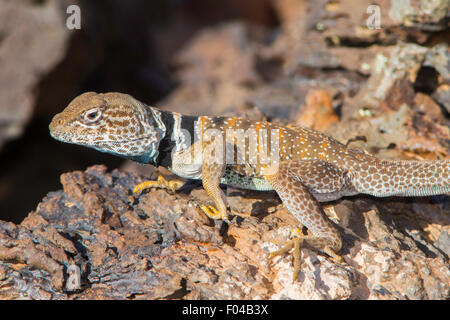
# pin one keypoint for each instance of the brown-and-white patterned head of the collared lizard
(115, 123)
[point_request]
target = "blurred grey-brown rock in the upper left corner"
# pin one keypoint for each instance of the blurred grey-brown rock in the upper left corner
(33, 38)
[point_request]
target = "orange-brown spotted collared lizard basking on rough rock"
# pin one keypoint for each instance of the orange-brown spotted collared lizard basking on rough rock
(306, 167)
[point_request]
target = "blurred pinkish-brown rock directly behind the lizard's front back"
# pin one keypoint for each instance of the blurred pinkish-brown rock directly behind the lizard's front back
(225, 58)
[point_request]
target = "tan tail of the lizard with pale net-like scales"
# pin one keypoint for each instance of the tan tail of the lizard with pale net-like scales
(383, 178)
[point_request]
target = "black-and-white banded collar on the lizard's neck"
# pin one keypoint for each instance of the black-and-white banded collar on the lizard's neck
(178, 136)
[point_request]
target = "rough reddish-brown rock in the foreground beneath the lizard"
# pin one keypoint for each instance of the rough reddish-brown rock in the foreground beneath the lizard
(94, 240)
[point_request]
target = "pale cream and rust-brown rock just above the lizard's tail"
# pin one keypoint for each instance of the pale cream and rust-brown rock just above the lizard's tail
(382, 110)
